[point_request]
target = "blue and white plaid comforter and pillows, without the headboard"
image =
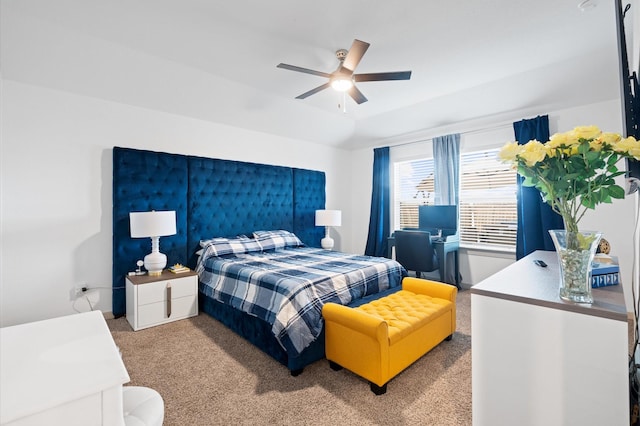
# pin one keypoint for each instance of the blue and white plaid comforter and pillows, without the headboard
(278, 281)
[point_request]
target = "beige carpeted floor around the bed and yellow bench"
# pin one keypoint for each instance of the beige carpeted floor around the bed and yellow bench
(208, 375)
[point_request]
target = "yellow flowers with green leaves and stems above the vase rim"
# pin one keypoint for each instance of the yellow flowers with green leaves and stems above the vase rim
(575, 170)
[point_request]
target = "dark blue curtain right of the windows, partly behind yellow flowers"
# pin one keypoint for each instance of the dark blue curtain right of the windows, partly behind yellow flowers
(535, 217)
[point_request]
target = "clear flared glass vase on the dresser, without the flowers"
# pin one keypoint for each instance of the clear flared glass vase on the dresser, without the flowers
(575, 252)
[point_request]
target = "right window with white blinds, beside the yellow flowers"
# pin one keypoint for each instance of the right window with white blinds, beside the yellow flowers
(488, 212)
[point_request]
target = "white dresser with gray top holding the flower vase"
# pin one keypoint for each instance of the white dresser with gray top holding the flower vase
(537, 360)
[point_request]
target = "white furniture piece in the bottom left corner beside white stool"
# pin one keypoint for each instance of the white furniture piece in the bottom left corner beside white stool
(62, 371)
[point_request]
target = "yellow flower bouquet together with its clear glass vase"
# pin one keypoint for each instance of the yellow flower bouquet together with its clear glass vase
(574, 171)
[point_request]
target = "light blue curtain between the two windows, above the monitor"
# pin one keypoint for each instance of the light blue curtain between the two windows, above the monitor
(446, 160)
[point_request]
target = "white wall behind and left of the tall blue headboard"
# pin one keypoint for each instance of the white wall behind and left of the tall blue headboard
(56, 188)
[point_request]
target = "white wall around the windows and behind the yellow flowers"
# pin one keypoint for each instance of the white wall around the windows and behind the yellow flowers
(615, 220)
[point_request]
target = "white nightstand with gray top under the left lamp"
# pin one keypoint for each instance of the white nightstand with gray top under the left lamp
(161, 299)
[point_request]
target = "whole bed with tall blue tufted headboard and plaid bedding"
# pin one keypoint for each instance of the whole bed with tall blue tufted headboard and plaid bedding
(244, 204)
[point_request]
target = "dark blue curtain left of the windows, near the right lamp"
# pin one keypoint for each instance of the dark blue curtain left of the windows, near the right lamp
(380, 216)
